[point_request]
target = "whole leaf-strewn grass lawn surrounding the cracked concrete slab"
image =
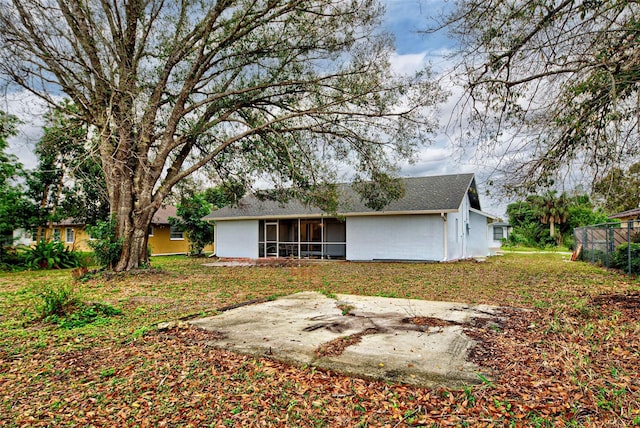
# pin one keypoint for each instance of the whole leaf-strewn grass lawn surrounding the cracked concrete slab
(573, 360)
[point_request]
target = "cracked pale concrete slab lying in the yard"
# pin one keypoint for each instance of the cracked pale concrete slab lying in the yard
(400, 340)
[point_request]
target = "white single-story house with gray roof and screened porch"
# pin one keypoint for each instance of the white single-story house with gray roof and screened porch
(438, 219)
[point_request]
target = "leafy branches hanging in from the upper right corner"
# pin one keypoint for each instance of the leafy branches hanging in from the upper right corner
(550, 83)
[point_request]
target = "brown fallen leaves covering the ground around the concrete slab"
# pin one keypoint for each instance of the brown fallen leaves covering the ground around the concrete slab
(563, 362)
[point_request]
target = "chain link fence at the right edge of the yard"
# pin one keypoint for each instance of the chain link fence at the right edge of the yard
(610, 245)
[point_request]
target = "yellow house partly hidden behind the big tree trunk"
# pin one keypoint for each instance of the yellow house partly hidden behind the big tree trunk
(164, 239)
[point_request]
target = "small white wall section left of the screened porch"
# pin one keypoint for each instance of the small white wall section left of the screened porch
(237, 238)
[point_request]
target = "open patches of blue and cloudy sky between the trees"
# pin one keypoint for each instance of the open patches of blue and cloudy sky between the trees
(404, 19)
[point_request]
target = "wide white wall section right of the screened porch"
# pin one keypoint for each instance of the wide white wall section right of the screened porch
(408, 237)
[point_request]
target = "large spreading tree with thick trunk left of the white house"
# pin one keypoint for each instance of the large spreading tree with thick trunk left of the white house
(289, 89)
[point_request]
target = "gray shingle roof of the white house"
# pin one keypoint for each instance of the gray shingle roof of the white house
(422, 194)
